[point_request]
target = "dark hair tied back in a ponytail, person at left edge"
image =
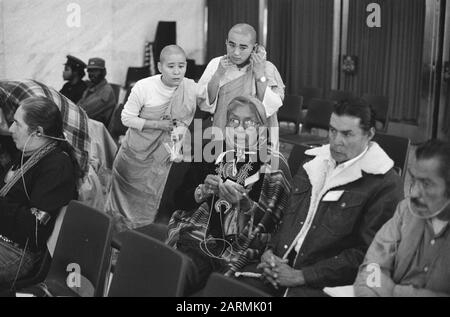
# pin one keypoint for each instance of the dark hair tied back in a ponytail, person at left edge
(43, 112)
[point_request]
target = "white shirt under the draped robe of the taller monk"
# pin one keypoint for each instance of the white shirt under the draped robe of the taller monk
(273, 98)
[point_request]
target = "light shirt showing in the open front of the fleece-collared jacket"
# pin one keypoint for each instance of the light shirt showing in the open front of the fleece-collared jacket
(316, 195)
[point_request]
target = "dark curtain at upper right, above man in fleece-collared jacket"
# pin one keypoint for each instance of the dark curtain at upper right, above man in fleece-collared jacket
(389, 57)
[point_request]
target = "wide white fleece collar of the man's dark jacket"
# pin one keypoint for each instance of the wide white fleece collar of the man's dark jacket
(374, 161)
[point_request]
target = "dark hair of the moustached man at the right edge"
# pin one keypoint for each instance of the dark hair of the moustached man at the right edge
(441, 150)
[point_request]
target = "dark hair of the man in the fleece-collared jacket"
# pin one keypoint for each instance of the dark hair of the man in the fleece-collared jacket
(358, 109)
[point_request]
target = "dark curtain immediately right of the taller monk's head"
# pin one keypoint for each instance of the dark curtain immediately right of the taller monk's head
(300, 42)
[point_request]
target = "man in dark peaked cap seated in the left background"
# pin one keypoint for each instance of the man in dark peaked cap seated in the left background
(73, 74)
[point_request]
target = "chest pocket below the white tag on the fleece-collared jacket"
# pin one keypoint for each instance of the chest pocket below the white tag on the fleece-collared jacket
(340, 216)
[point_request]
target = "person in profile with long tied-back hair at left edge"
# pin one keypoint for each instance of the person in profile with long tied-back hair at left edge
(35, 187)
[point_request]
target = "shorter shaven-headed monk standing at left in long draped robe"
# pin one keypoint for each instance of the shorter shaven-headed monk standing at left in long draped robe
(156, 106)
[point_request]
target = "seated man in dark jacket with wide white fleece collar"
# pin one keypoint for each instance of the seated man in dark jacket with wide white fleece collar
(340, 200)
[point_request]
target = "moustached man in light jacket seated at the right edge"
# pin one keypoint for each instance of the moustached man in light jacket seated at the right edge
(410, 254)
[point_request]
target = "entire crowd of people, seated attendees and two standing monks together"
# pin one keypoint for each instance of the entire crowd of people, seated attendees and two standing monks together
(342, 219)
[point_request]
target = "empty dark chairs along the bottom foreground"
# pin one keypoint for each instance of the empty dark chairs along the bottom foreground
(146, 266)
